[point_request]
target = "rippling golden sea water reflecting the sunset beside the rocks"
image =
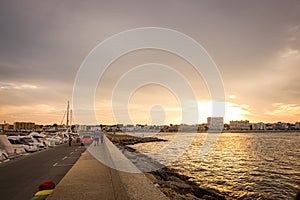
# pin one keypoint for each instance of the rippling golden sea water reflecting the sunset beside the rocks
(241, 165)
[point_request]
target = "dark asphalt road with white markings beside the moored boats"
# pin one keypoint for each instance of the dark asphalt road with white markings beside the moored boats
(20, 178)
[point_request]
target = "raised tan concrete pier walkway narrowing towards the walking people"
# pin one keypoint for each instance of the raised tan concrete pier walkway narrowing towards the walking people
(91, 179)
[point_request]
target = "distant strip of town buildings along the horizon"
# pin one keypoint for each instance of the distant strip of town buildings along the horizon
(214, 124)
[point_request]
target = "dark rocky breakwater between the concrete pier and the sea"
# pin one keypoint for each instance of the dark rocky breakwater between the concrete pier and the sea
(172, 184)
